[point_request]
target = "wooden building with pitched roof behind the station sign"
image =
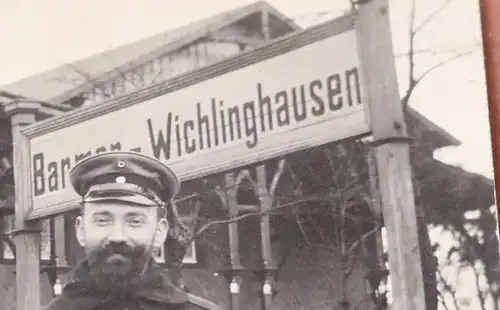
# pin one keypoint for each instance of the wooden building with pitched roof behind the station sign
(310, 268)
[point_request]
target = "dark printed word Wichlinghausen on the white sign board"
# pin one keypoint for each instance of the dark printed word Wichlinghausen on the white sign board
(216, 124)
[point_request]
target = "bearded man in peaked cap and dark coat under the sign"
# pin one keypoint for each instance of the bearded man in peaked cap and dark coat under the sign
(126, 213)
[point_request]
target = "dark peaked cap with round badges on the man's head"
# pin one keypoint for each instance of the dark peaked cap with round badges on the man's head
(124, 176)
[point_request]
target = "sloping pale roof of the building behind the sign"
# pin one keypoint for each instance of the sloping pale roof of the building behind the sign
(62, 83)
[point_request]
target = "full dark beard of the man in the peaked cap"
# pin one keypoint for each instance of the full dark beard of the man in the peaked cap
(117, 266)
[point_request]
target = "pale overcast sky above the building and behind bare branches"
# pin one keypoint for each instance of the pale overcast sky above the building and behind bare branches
(39, 35)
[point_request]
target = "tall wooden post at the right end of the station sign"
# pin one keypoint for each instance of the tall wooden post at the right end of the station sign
(392, 155)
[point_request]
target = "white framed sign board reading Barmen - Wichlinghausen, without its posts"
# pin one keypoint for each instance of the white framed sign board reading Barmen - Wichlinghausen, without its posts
(299, 92)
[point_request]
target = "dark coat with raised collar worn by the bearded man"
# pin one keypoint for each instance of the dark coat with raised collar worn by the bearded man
(154, 292)
